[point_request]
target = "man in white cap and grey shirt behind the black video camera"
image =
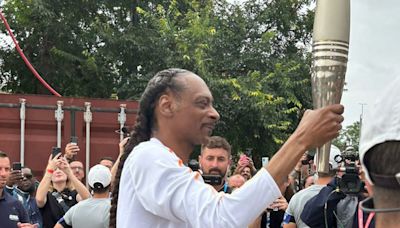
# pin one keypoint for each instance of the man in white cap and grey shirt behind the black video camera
(296, 205)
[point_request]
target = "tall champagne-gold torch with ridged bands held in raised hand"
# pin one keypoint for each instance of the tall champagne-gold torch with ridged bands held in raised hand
(329, 60)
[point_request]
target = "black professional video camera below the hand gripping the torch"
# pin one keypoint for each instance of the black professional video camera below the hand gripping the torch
(350, 182)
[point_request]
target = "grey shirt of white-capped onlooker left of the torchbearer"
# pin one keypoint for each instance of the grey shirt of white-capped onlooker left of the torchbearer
(89, 213)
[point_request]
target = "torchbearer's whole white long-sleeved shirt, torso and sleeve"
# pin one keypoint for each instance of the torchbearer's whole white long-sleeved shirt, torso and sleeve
(157, 190)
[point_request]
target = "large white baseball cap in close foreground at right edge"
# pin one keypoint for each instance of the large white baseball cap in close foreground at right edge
(381, 122)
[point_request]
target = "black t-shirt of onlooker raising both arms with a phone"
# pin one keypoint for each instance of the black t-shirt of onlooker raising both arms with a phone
(56, 206)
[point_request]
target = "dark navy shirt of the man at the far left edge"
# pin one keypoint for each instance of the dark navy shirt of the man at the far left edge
(12, 211)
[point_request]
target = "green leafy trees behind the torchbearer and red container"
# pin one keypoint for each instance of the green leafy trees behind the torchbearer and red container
(254, 56)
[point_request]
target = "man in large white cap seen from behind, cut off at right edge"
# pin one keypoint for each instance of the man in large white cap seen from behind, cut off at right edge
(380, 157)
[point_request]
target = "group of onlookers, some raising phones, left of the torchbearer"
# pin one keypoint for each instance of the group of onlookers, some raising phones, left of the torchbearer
(61, 198)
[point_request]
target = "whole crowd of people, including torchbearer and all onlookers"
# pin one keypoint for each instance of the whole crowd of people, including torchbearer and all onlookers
(150, 184)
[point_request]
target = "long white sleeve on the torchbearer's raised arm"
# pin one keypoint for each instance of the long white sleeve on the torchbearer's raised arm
(171, 190)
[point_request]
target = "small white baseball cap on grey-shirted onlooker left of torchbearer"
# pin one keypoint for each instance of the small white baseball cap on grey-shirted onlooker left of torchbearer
(99, 176)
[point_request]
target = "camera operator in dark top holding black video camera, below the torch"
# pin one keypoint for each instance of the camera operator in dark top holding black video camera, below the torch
(337, 203)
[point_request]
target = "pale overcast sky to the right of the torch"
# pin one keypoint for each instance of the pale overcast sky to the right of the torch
(373, 54)
